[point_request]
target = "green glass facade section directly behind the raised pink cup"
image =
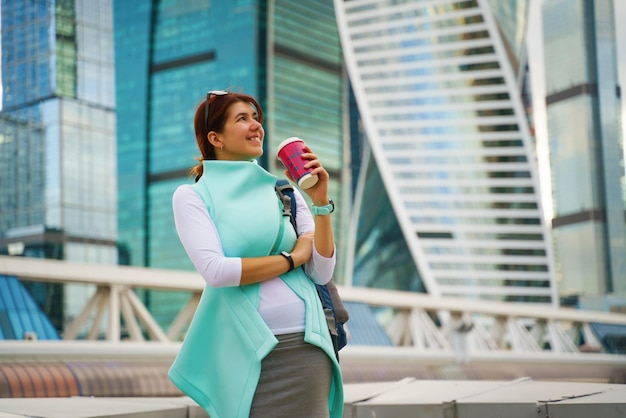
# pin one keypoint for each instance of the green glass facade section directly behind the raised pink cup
(306, 94)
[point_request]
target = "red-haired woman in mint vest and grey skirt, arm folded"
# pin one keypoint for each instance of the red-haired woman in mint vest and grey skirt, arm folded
(259, 344)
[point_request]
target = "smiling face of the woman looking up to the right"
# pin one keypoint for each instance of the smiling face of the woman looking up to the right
(242, 137)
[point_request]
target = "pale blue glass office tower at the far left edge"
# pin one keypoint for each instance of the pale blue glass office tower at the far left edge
(57, 149)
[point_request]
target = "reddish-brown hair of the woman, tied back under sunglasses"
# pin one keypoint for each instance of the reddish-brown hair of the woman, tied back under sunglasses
(218, 109)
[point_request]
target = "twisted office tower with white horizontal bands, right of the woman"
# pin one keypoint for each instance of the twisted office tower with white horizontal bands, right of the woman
(448, 200)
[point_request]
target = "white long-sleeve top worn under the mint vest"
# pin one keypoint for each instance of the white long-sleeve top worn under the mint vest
(279, 306)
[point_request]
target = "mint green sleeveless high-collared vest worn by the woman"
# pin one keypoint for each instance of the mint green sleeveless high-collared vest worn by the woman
(219, 362)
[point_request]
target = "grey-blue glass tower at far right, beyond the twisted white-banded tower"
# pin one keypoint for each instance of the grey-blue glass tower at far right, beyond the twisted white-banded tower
(585, 145)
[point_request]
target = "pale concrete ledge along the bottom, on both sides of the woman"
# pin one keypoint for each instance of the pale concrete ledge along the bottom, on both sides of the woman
(410, 398)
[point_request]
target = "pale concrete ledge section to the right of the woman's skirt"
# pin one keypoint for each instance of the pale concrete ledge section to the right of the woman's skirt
(521, 398)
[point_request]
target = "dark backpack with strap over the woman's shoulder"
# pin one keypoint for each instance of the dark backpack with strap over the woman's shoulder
(336, 314)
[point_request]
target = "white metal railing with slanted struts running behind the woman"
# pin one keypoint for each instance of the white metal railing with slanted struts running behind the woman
(460, 327)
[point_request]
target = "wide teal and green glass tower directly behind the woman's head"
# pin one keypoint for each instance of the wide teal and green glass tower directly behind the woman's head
(169, 54)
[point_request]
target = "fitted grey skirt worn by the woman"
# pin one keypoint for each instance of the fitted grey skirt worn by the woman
(295, 381)
